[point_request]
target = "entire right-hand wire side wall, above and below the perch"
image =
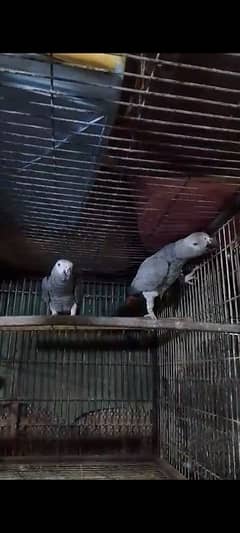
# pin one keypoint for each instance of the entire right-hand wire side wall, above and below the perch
(200, 372)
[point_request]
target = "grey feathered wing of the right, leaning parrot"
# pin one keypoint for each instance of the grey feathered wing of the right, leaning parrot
(151, 274)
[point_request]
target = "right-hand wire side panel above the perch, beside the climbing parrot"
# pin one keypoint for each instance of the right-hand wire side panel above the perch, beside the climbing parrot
(215, 294)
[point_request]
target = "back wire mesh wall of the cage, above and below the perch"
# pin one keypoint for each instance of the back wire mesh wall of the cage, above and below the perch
(73, 393)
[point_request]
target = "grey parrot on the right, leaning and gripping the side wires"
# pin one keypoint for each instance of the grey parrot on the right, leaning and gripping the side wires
(158, 272)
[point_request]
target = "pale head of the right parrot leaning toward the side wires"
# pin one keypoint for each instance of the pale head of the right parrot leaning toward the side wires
(196, 244)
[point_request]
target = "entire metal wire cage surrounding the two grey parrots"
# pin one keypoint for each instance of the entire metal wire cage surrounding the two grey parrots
(108, 166)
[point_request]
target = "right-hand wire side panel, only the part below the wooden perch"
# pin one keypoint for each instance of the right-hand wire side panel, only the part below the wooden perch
(199, 410)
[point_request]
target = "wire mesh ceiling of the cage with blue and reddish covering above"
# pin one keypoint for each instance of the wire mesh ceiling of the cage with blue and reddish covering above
(105, 167)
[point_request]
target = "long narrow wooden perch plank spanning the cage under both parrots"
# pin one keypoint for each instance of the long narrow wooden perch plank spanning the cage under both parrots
(37, 323)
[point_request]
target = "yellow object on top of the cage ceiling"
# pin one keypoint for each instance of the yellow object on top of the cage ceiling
(113, 63)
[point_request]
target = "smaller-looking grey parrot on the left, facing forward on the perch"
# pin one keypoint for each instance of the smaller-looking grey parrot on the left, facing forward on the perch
(59, 289)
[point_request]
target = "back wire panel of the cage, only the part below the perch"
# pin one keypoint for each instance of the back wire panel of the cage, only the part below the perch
(65, 393)
